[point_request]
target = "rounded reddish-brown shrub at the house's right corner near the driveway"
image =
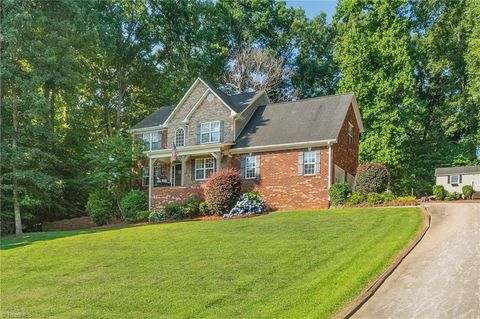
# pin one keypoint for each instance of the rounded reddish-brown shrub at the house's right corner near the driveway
(372, 178)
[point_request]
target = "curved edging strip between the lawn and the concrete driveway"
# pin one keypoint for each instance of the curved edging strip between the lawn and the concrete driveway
(368, 292)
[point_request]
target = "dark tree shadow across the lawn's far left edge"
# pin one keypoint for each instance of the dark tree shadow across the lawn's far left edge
(15, 241)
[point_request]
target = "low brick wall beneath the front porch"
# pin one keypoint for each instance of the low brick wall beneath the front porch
(162, 196)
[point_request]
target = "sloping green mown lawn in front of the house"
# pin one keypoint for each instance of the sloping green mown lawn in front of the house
(304, 264)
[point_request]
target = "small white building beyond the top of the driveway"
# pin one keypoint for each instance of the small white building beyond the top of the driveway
(454, 178)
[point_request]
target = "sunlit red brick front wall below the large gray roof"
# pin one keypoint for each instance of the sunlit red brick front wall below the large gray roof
(282, 187)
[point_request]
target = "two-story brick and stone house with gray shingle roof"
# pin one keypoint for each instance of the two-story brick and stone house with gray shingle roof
(290, 152)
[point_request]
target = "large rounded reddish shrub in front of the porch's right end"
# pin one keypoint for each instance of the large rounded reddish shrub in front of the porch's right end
(222, 189)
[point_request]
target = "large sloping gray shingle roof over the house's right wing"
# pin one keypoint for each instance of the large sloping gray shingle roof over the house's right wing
(300, 121)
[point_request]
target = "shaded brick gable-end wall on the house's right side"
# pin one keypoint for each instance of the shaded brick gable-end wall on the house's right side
(343, 154)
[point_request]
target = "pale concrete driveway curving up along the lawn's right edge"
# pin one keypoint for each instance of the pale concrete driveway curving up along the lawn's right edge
(440, 278)
